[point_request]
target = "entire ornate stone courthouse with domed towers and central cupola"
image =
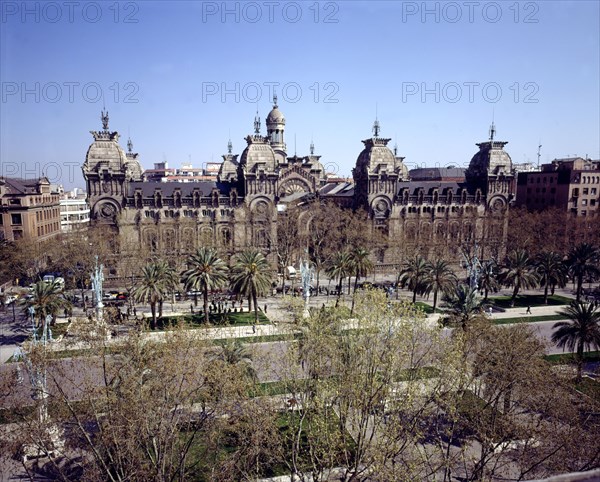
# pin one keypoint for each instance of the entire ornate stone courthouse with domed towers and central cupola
(239, 209)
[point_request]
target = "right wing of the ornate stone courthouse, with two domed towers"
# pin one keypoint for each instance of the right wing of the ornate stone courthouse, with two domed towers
(437, 210)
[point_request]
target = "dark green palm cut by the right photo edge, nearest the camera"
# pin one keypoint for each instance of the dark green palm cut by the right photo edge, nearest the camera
(581, 333)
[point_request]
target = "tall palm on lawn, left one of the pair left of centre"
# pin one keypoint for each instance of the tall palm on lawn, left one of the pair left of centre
(206, 272)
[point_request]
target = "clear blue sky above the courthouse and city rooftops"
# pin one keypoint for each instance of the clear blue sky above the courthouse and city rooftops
(182, 78)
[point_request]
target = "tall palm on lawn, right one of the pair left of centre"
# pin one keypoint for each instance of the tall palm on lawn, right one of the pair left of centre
(251, 276)
